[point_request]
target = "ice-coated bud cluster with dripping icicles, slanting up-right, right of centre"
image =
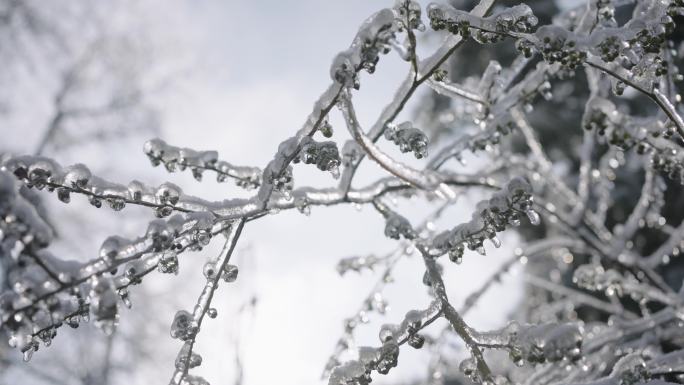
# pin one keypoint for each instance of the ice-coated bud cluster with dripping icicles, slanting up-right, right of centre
(491, 216)
